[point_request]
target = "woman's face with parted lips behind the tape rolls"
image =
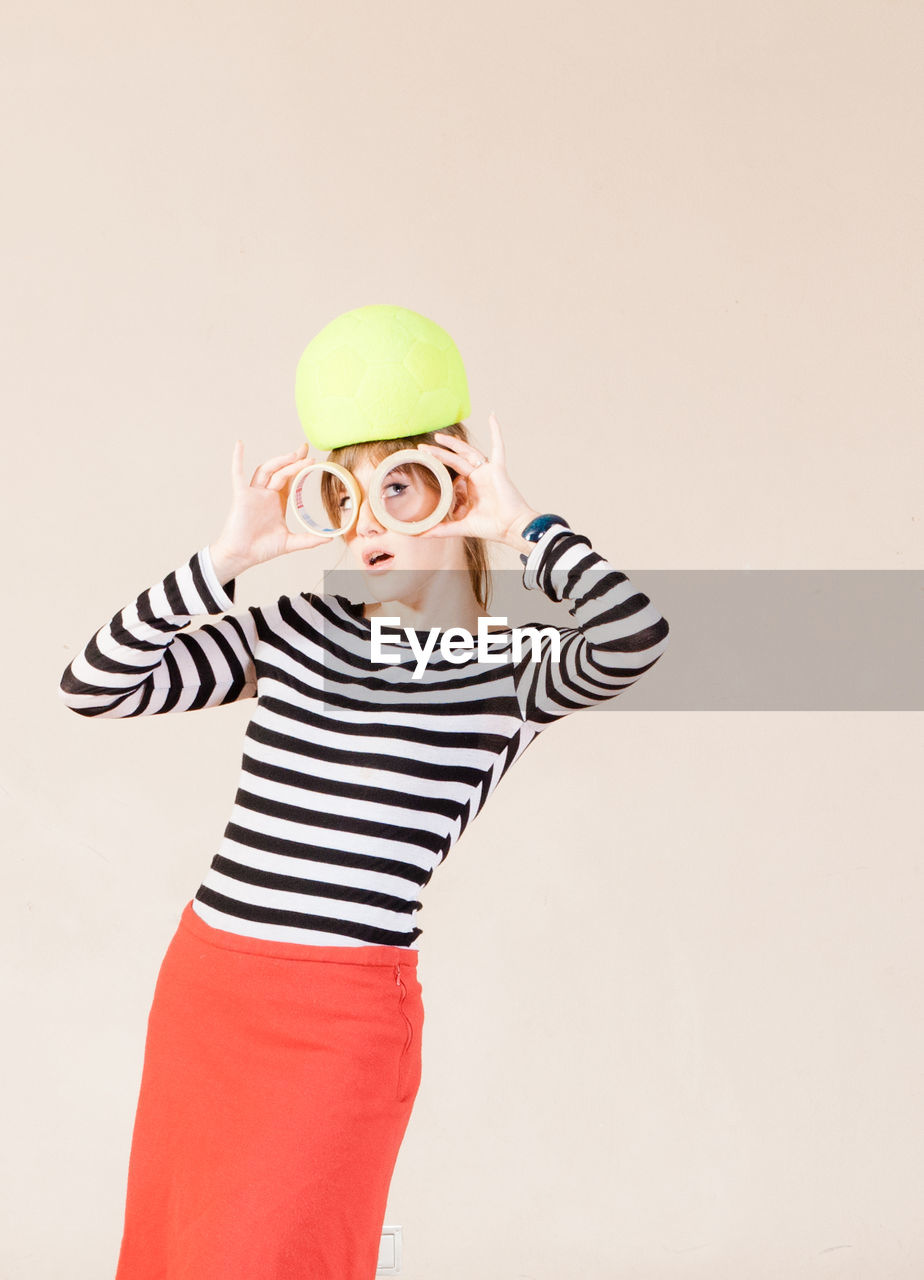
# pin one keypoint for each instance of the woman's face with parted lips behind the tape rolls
(406, 497)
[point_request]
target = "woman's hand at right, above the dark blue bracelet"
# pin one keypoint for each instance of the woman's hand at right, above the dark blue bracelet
(497, 510)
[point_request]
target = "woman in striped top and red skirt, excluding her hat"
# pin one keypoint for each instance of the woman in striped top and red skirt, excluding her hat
(283, 1050)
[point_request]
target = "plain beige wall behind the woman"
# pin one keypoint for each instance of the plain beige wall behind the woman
(673, 975)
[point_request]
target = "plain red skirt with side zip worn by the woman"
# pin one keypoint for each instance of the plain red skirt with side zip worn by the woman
(277, 1086)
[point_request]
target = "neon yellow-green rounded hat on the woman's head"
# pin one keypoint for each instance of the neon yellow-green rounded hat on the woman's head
(379, 373)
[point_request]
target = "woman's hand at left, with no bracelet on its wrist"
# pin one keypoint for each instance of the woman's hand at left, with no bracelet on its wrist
(255, 529)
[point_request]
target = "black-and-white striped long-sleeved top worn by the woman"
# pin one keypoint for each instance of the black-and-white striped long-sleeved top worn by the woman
(358, 776)
